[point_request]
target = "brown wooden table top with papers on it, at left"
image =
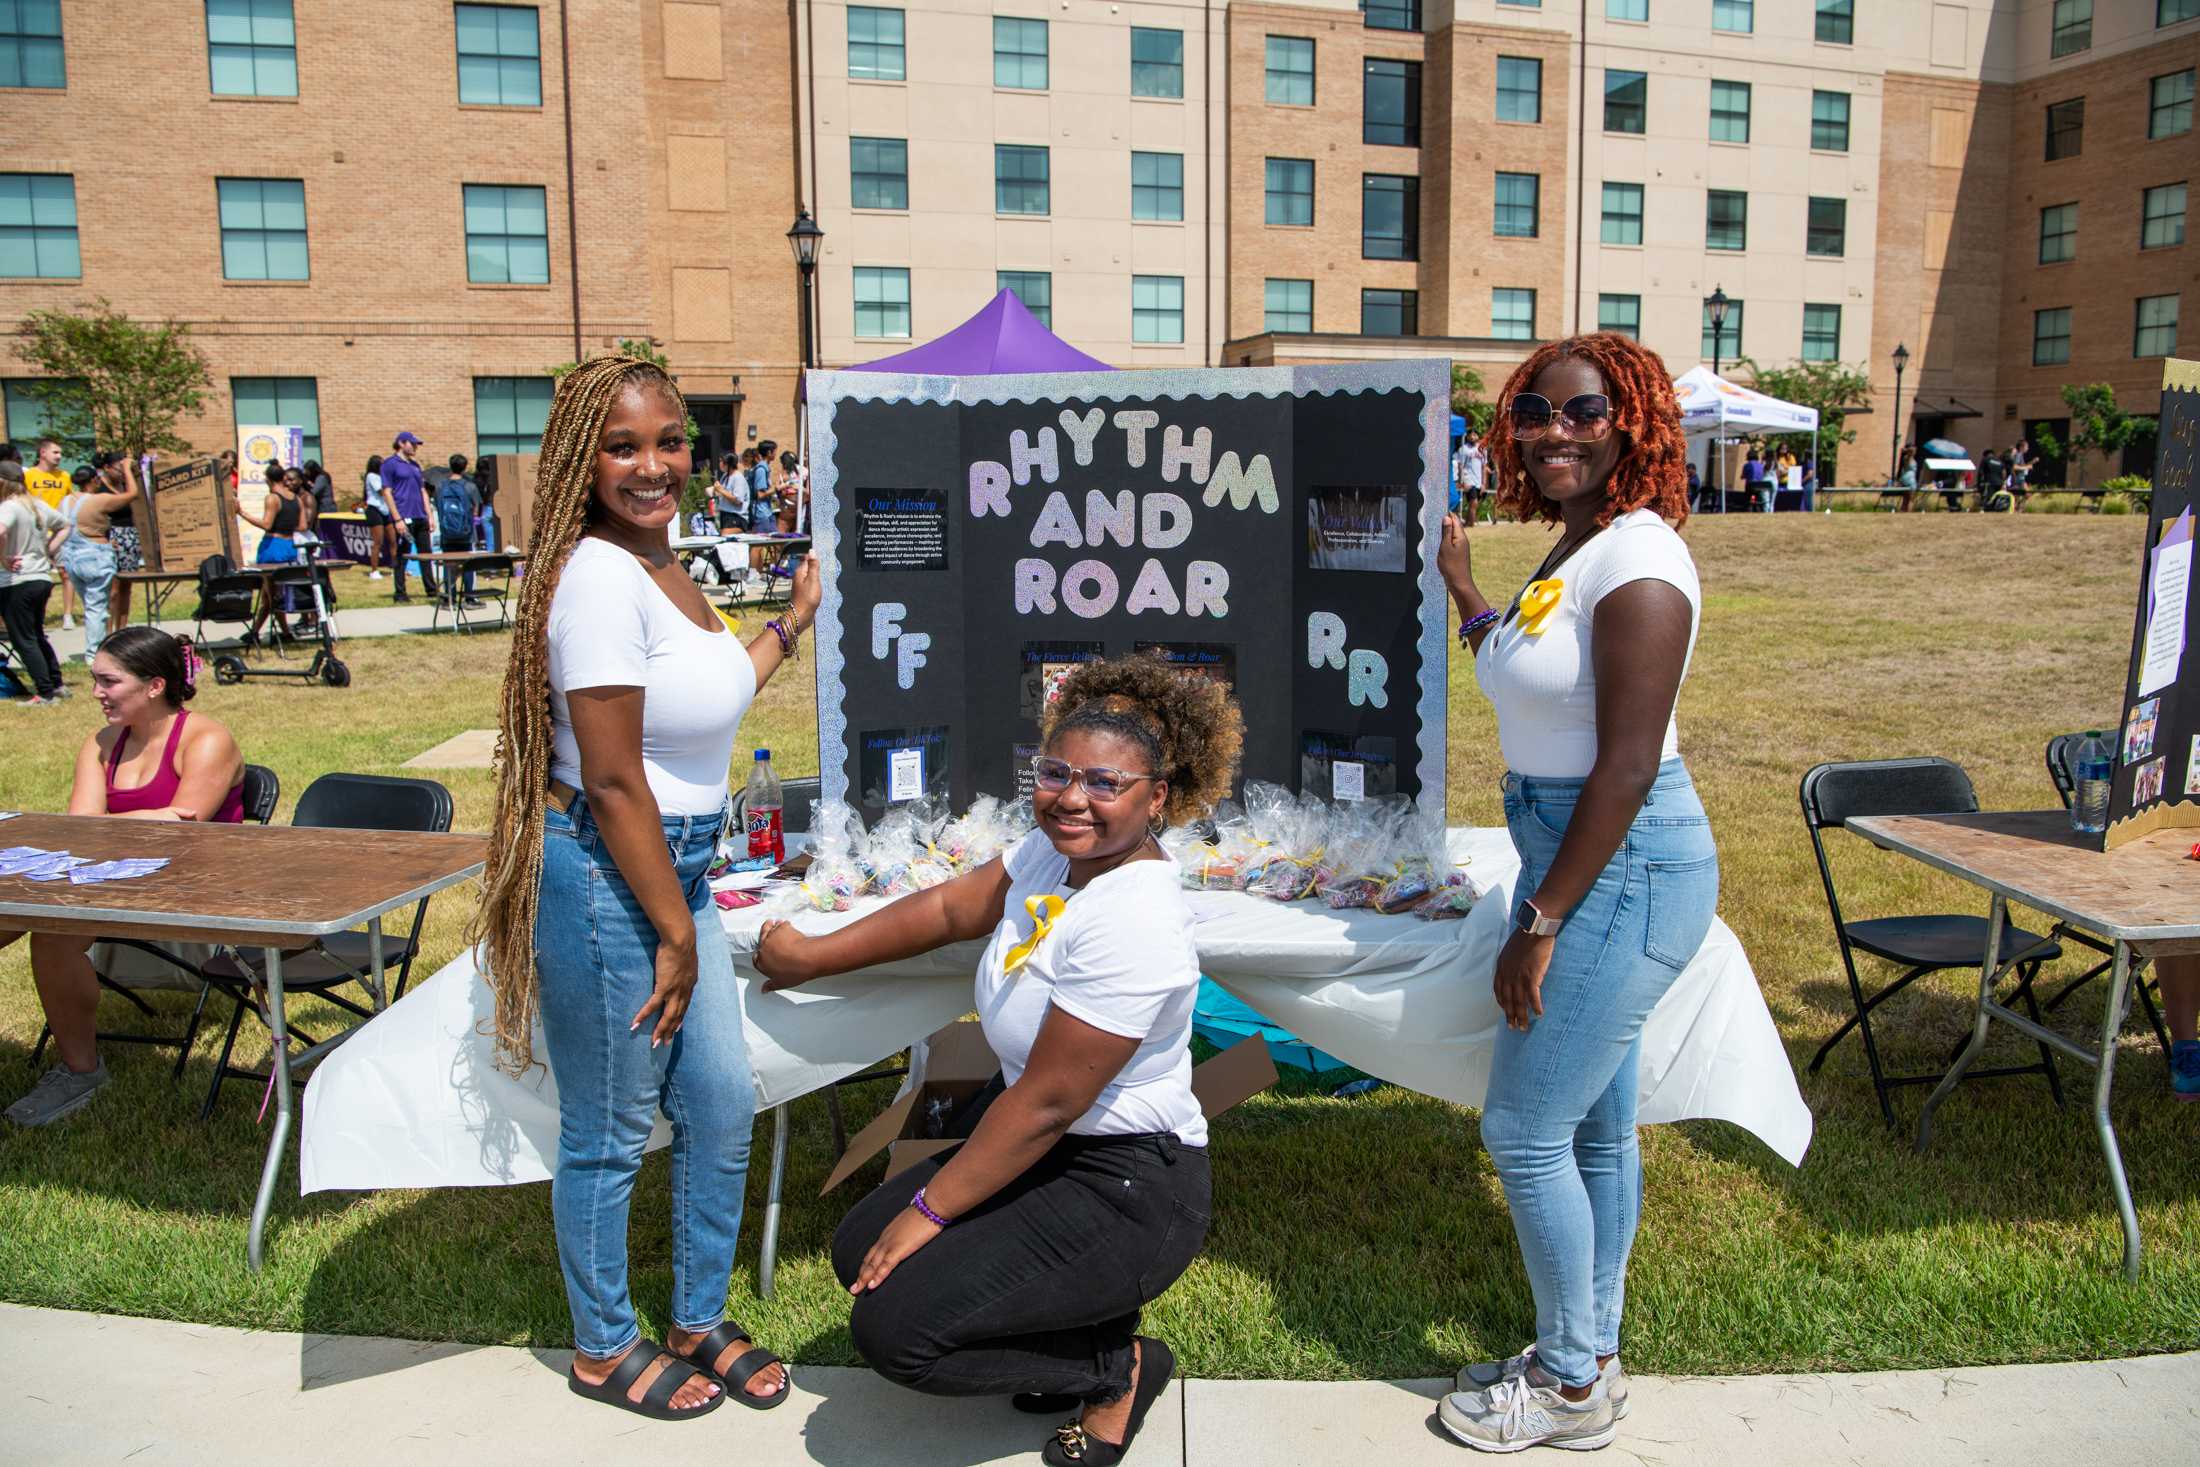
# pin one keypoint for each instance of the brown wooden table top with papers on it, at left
(230, 883)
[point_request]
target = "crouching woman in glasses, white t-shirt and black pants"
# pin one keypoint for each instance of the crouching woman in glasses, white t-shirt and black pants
(1020, 1266)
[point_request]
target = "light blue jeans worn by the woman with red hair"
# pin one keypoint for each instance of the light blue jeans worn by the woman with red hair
(1561, 1112)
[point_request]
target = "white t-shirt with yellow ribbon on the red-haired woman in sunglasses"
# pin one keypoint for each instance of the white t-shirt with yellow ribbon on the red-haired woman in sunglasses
(1545, 685)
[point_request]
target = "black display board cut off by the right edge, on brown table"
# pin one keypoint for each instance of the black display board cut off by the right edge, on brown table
(2157, 773)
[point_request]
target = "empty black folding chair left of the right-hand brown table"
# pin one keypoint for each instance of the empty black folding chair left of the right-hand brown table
(1836, 793)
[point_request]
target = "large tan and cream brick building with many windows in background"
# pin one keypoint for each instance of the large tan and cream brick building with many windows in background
(404, 214)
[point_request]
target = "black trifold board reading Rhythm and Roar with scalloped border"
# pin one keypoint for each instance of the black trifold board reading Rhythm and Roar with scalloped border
(1273, 529)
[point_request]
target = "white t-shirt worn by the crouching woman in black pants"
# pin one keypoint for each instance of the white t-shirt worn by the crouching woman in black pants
(1121, 958)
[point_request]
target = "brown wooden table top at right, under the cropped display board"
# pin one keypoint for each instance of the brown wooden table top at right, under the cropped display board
(2144, 892)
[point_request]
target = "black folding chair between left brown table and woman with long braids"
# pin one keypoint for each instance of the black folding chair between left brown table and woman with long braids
(335, 802)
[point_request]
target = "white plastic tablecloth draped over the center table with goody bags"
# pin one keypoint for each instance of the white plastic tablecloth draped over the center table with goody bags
(415, 1099)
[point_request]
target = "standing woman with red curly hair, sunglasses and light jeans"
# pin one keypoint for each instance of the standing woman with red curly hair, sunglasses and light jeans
(1618, 870)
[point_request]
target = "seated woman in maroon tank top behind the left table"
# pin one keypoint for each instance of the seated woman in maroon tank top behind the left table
(151, 762)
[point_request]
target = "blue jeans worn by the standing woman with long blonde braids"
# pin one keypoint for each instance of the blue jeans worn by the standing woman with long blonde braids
(595, 953)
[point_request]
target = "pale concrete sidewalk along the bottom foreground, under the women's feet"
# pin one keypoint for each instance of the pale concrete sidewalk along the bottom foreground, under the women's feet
(96, 1389)
